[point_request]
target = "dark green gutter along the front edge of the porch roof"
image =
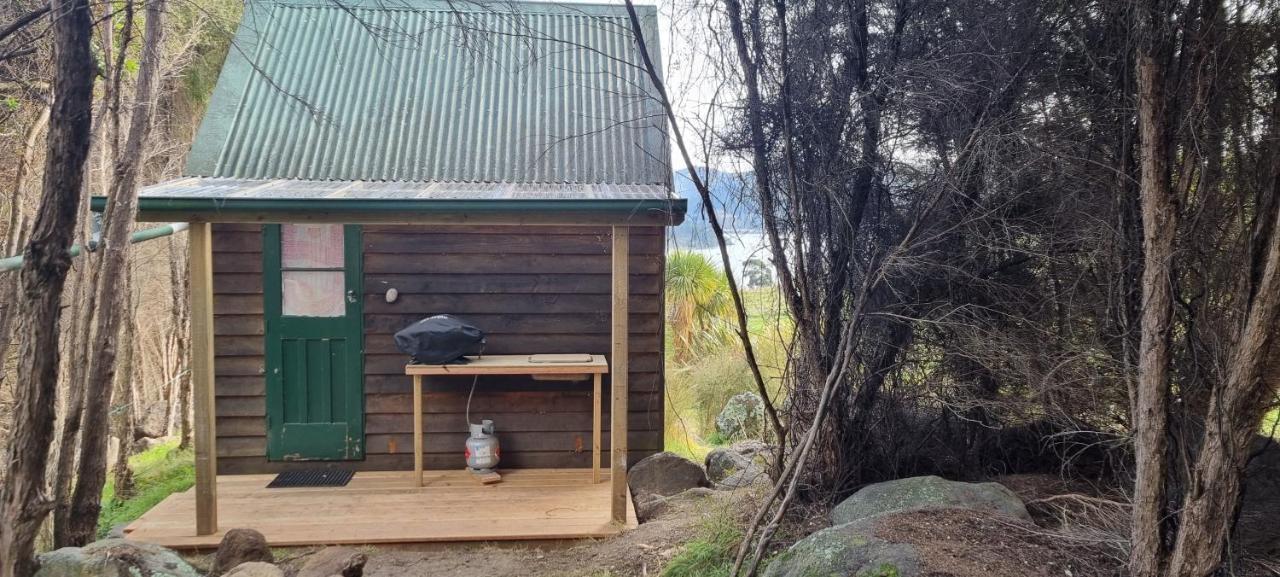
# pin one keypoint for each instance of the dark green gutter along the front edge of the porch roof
(542, 212)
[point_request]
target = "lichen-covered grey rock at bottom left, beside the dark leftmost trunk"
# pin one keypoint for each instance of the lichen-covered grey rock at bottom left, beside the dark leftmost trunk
(115, 558)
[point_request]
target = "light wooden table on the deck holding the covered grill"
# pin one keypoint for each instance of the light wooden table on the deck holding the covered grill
(510, 365)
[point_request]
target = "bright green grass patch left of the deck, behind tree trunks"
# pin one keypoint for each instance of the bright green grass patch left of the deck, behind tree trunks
(158, 473)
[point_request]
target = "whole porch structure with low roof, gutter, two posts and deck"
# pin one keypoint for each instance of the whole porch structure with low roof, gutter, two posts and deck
(387, 507)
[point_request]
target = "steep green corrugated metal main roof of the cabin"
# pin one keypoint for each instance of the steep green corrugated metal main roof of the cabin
(426, 91)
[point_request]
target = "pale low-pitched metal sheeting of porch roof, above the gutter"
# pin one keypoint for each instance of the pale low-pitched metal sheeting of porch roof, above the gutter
(228, 189)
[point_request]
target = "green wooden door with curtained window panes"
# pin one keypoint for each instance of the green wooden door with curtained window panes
(312, 281)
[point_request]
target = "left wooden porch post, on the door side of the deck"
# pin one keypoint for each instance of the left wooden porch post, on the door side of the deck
(202, 264)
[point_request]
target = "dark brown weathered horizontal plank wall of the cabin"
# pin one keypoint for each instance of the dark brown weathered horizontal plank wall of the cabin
(534, 290)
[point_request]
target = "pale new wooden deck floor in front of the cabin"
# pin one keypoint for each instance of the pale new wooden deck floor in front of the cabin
(387, 509)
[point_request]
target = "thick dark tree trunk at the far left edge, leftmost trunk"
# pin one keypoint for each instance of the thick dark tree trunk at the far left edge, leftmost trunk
(24, 503)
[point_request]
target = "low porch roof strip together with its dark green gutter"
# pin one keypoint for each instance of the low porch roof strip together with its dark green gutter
(231, 200)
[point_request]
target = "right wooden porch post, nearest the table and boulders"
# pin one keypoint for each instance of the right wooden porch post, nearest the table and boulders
(619, 377)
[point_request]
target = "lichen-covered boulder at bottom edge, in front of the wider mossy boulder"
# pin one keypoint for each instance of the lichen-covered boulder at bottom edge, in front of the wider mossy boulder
(849, 549)
